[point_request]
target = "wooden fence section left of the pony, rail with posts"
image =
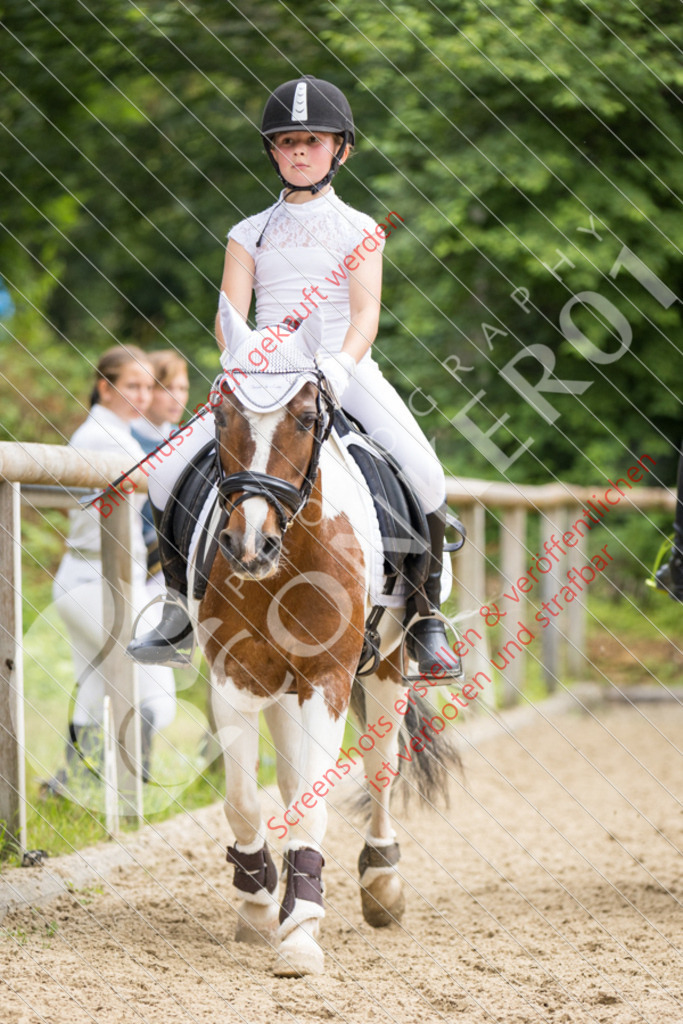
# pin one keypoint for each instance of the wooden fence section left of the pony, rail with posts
(50, 476)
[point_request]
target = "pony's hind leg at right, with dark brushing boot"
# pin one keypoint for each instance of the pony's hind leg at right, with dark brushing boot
(381, 888)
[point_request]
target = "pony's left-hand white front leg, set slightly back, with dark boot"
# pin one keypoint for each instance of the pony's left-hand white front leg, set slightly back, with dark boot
(255, 874)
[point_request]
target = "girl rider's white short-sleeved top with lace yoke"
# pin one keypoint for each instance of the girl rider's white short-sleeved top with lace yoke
(303, 248)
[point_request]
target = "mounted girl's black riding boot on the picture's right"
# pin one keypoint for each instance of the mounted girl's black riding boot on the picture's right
(428, 638)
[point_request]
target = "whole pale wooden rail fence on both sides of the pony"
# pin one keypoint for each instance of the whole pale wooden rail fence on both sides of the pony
(47, 476)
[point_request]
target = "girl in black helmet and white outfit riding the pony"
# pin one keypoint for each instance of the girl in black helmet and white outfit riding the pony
(283, 255)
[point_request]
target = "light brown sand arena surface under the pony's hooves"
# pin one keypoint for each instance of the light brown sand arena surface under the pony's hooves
(551, 890)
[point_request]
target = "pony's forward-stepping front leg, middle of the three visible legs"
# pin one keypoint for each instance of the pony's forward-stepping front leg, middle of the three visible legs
(303, 909)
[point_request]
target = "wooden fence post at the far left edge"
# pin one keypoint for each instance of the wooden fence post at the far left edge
(13, 771)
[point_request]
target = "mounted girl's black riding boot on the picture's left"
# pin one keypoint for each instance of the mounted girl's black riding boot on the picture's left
(172, 643)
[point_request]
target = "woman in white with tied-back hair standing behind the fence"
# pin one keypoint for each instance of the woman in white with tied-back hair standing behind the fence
(122, 393)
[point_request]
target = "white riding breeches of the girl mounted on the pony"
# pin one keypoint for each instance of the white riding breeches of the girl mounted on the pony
(370, 399)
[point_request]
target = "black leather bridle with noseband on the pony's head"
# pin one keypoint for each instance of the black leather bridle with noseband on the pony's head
(284, 498)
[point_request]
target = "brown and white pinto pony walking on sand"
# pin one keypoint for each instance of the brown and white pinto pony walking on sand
(287, 642)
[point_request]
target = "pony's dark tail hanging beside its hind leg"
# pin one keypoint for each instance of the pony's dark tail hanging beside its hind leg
(428, 772)
